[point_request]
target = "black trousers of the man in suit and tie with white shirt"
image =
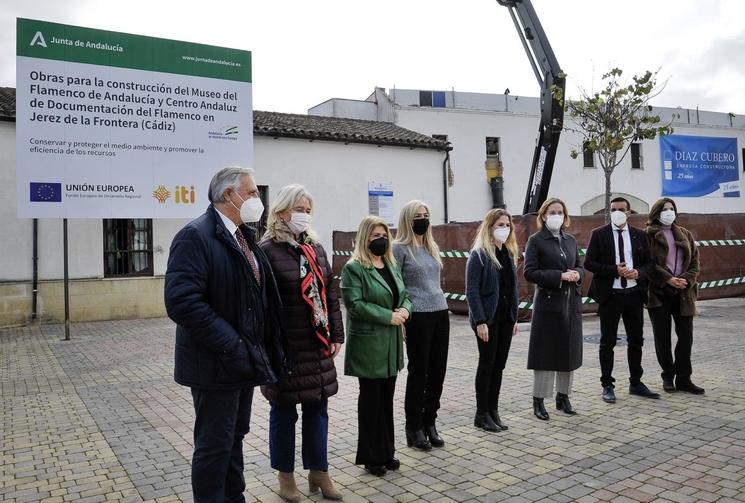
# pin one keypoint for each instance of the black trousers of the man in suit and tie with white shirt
(630, 308)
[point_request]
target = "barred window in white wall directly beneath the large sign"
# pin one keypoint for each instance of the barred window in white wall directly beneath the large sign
(128, 247)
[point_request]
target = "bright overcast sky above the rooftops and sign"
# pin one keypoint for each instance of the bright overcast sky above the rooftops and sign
(305, 52)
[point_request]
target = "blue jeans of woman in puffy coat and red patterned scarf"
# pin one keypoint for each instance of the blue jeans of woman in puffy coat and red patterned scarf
(315, 431)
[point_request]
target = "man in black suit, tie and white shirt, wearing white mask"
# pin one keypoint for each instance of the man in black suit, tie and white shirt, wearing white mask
(619, 258)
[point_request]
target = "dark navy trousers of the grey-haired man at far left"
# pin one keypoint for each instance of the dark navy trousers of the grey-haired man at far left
(223, 419)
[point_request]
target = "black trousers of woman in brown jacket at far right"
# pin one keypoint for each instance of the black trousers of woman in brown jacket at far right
(662, 318)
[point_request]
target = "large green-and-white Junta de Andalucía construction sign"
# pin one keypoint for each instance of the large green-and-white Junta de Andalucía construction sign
(112, 125)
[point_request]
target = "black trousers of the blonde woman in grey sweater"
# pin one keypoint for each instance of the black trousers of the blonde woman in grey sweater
(427, 340)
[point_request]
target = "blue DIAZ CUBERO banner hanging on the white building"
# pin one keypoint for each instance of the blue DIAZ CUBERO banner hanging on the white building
(697, 166)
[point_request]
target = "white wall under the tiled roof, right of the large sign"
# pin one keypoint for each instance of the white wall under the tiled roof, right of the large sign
(337, 175)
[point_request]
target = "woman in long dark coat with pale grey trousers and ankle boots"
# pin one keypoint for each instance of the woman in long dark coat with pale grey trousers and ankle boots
(555, 349)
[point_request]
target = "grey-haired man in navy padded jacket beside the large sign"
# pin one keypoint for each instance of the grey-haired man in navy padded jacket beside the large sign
(220, 291)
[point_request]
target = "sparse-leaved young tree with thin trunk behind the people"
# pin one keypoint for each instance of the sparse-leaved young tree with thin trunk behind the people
(610, 120)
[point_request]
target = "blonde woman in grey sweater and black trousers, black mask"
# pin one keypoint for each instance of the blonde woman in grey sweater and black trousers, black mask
(428, 329)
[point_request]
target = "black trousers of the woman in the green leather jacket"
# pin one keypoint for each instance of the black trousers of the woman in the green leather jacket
(375, 443)
